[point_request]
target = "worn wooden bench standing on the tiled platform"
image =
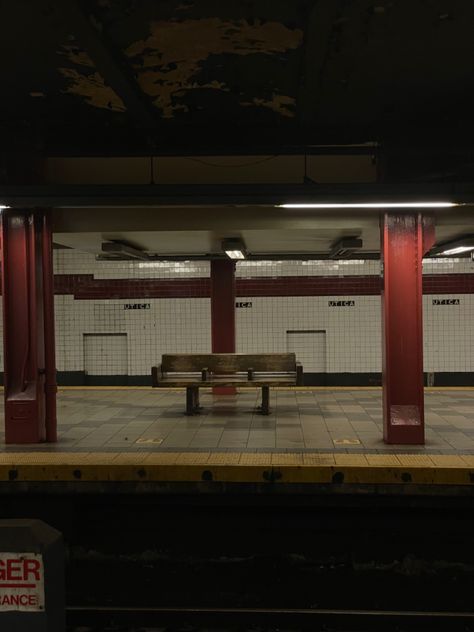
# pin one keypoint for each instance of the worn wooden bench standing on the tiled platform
(195, 370)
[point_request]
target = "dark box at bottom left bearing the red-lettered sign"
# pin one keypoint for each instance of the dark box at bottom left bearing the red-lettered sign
(31, 577)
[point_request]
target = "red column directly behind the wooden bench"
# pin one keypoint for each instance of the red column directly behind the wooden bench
(223, 311)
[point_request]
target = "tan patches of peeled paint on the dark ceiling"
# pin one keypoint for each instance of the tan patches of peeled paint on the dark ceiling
(170, 62)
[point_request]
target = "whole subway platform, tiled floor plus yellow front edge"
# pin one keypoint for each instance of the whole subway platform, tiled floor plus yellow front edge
(314, 439)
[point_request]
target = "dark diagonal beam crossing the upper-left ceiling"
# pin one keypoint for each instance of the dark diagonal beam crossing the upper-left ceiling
(109, 64)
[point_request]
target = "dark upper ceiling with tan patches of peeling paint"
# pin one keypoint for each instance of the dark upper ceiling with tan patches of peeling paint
(208, 76)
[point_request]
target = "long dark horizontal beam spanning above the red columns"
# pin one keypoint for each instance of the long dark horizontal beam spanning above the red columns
(83, 196)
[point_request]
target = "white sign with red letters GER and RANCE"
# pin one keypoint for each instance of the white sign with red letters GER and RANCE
(21, 582)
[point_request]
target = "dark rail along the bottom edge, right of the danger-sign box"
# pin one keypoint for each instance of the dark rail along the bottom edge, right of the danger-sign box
(115, 619)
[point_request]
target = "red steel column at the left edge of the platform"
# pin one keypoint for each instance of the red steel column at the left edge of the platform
(28, 320)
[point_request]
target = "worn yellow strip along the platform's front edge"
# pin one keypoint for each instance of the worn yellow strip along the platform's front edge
(238, 468)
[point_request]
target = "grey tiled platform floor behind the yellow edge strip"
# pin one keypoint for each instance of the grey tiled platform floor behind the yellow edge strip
(329, 420)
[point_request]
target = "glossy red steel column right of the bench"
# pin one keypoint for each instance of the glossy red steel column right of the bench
(404, 240)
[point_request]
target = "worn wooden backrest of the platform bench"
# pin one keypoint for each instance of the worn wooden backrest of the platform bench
(228, 362)
